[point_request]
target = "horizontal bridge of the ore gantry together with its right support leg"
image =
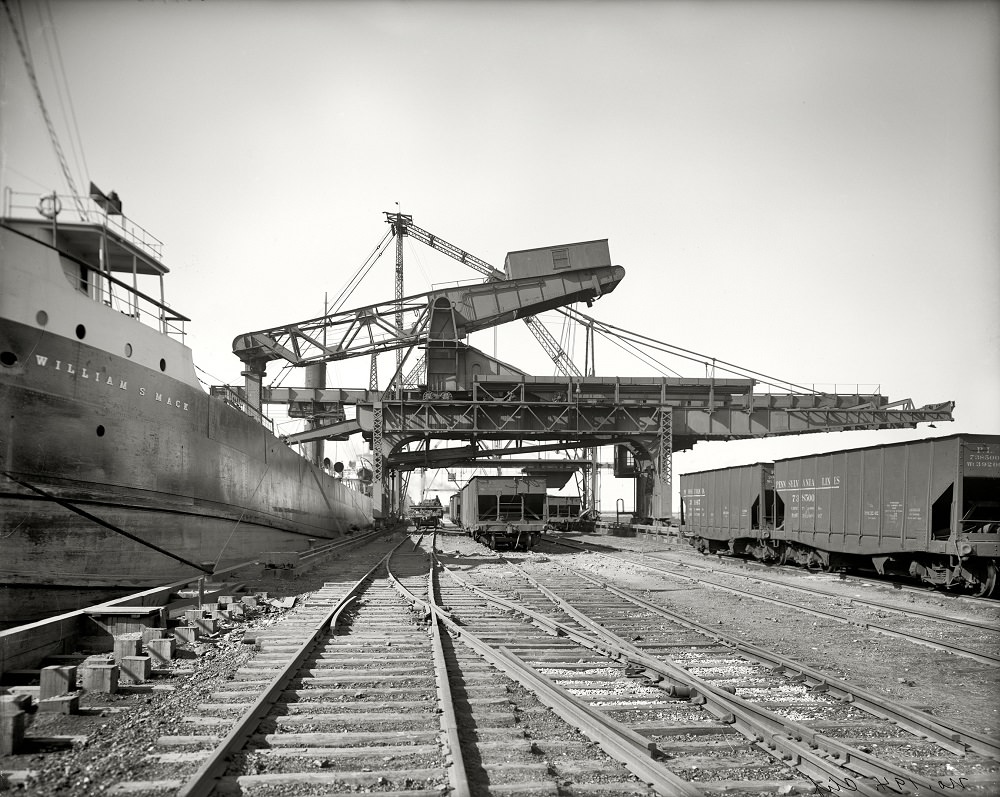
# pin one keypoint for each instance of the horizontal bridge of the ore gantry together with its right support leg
(653, 416)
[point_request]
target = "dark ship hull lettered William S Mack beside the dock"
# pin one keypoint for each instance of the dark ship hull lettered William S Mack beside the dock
(144, 450)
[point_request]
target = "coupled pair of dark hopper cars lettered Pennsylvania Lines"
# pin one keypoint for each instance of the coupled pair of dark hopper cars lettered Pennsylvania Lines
(928, 508)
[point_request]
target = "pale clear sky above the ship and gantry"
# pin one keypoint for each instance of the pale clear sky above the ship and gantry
(809, 190)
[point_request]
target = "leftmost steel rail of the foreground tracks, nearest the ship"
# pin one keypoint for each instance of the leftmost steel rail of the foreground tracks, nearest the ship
(206, 779)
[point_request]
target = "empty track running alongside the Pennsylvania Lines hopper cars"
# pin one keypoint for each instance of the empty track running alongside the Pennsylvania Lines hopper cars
(976, 640)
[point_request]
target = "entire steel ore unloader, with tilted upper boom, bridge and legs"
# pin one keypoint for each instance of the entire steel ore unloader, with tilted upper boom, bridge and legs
(487, 401)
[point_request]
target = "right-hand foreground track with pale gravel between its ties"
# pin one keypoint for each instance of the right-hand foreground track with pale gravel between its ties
(839, 737)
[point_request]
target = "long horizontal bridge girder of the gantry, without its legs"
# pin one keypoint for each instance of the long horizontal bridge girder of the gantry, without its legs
(605, 409)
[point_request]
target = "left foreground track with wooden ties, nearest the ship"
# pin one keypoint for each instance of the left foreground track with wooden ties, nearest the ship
(364, 689)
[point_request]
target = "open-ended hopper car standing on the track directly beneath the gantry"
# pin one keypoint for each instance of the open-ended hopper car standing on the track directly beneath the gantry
(504, 512)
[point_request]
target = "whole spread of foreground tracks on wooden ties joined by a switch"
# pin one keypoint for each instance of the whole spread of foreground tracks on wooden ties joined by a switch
(413, 681)
